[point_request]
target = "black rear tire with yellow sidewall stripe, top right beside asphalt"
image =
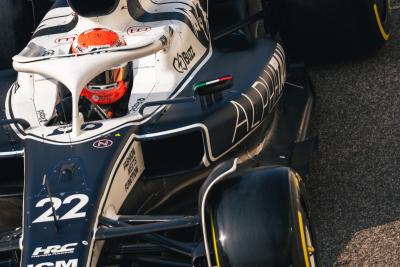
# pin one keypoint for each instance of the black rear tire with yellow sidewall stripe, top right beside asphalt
(320, 30)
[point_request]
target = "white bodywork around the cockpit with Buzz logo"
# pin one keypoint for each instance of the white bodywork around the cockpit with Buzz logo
(156, 76)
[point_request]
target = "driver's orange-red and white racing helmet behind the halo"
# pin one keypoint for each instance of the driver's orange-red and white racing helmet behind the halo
(110, 86)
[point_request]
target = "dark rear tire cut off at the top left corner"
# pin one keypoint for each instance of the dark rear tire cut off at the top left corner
(16, 25)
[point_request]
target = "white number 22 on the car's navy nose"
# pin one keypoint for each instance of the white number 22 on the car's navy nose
(73, 213)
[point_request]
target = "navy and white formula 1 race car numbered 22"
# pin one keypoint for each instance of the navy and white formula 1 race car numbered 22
(165, 133)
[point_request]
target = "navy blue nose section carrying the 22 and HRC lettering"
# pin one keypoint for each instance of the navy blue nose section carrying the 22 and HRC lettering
(70, 170)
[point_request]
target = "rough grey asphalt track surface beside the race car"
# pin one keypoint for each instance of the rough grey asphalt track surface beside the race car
(354, 184)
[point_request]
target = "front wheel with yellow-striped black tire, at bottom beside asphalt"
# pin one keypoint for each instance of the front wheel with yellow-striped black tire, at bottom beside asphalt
(257, 219)
